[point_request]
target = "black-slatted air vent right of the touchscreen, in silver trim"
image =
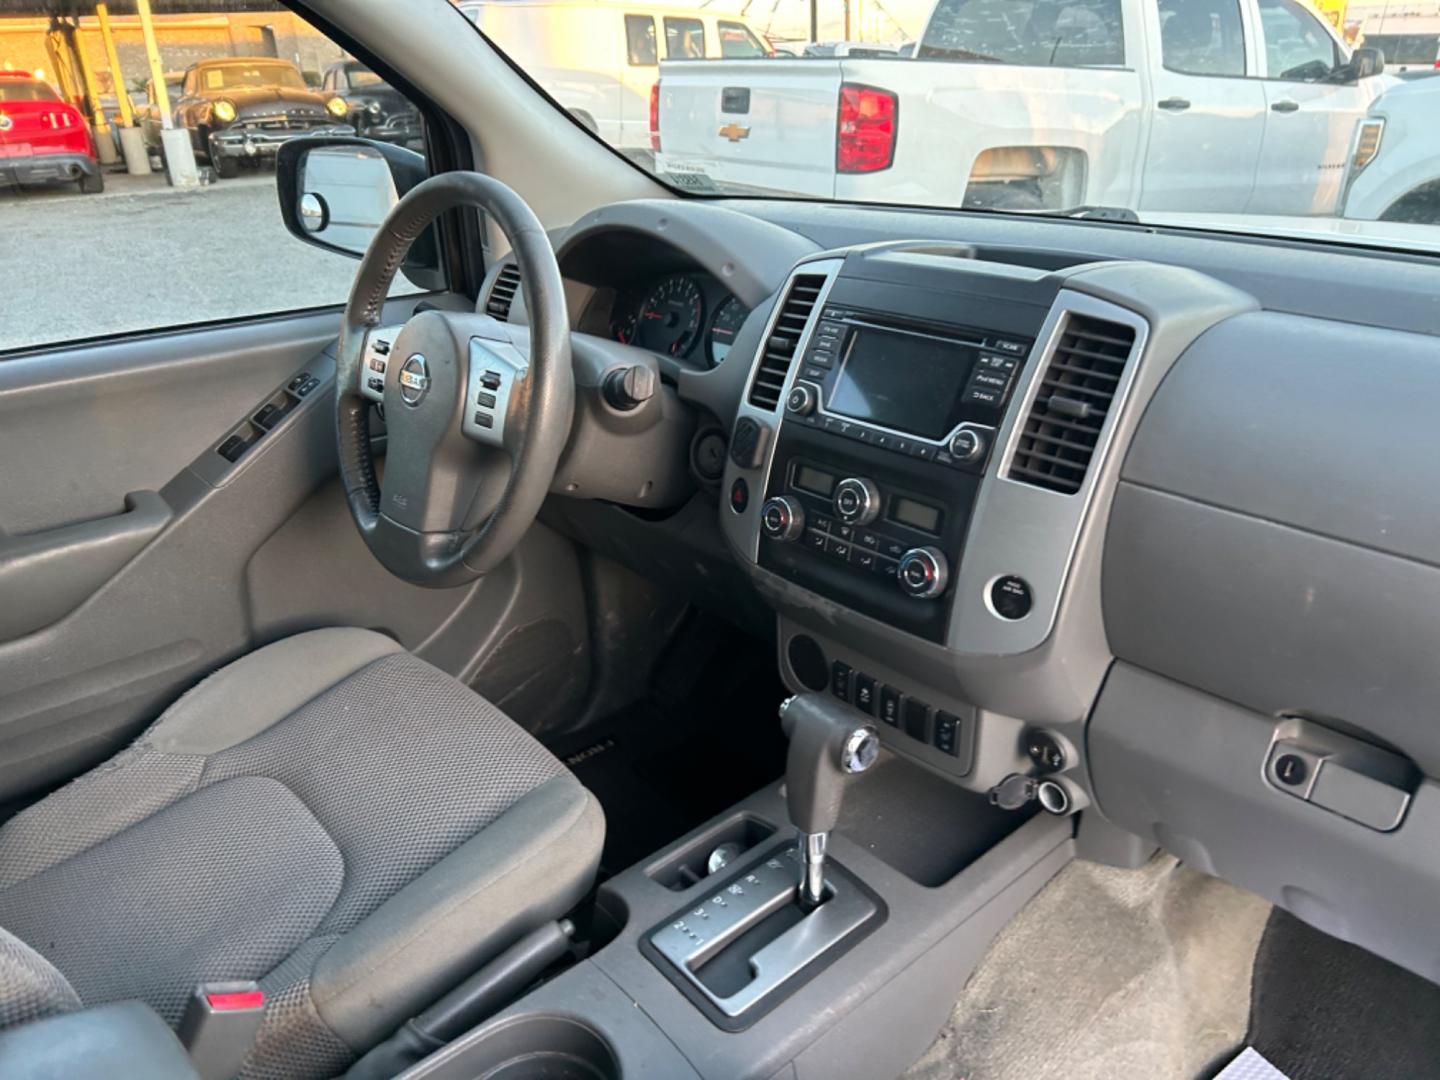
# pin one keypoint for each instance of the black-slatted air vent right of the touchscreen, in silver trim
(1075, 398)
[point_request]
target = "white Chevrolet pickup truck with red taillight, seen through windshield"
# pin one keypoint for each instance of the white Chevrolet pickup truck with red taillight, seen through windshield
(1166, 106)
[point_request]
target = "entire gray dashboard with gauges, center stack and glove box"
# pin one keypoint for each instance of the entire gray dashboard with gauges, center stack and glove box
(1066, 500)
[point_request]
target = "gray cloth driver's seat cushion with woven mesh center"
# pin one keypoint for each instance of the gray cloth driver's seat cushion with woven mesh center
(330, 816)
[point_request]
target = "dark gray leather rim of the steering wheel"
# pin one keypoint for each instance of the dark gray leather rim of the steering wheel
(542, 408)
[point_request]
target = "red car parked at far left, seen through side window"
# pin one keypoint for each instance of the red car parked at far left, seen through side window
(42, 138)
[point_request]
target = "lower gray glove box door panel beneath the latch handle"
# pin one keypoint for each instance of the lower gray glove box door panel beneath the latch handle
(1184, 770)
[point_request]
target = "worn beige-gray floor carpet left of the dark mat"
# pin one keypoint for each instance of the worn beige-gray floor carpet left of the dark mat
(1110, 974)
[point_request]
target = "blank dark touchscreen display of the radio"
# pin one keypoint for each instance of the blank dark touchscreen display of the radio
(902, 381)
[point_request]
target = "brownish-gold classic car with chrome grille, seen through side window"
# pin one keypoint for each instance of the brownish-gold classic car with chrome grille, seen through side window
(240, 110)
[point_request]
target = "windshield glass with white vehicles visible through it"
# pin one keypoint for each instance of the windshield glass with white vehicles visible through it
(1268, 117)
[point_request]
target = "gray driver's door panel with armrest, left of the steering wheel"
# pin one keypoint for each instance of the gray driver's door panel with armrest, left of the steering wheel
(246, 552)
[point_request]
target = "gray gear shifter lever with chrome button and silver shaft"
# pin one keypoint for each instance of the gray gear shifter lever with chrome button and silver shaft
(829, 747)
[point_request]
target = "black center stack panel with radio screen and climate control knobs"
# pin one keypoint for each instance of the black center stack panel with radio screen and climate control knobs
(888, 428)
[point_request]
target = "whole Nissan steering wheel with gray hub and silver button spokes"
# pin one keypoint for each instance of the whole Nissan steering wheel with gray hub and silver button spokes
(477, 413)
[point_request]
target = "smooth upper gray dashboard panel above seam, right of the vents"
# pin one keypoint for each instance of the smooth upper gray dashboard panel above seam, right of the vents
(1317, 424)
